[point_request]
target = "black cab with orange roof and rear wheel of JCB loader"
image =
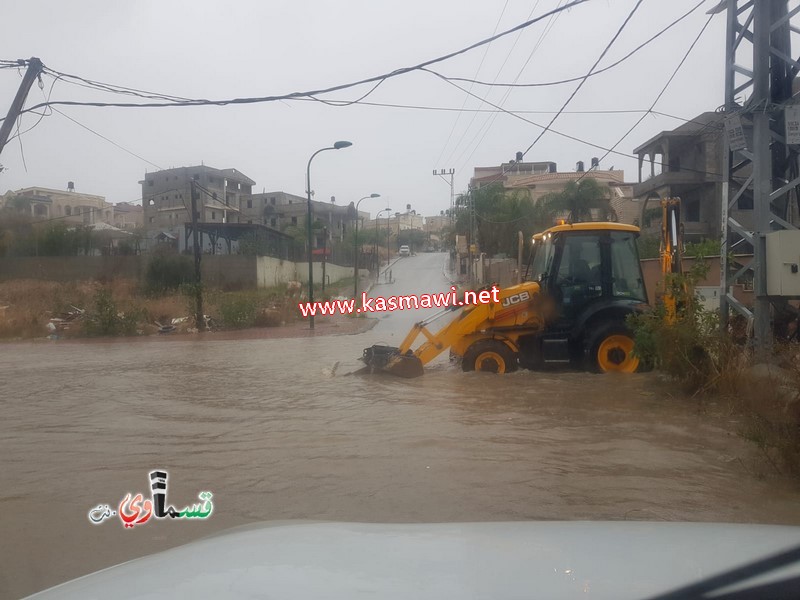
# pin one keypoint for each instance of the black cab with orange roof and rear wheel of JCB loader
(592, 275)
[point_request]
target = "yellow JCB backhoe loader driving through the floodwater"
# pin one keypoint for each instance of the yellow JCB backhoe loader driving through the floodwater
(584, 280)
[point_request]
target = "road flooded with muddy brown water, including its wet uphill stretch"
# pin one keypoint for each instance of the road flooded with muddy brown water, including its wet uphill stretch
(275, 434)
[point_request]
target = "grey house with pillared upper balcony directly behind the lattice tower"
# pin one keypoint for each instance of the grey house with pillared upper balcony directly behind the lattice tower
(686, 162)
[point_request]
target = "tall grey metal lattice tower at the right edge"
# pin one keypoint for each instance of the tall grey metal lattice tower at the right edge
(759, 168)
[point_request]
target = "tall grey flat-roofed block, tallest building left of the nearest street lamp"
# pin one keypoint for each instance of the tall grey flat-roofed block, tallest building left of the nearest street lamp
(166, 197)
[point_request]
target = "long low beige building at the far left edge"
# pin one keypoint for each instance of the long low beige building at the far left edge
(68, 206)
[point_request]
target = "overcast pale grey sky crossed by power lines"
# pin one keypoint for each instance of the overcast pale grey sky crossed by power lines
(219, 50)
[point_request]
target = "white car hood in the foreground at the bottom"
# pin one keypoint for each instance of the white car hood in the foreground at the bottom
(552, 560)
